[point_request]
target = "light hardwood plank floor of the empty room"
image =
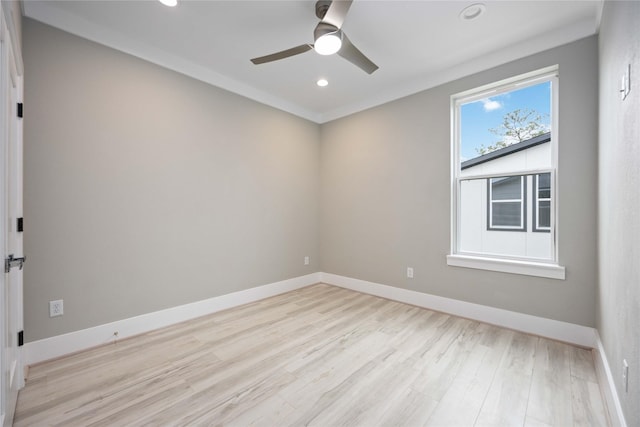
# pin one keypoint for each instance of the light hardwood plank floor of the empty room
(321, 356)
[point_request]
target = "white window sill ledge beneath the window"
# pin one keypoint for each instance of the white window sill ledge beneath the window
(528, 268)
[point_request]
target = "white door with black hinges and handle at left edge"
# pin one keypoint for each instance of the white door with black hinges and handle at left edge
(12, 376)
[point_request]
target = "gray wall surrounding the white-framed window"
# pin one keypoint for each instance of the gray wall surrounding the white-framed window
(385, 195)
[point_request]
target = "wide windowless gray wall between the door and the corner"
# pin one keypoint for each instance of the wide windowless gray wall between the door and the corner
(145, 189)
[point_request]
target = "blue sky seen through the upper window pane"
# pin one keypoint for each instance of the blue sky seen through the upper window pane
(480, 116)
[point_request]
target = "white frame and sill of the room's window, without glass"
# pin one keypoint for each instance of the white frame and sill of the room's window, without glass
(546, 268)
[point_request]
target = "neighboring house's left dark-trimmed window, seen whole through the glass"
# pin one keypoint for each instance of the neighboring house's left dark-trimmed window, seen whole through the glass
(506, 203)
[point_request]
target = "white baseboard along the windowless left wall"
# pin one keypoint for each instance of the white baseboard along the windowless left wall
(60, 345)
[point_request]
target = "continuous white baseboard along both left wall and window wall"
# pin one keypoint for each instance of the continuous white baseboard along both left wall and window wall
(60, 345)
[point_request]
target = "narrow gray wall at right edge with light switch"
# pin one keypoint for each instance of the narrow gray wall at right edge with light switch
(619, 204)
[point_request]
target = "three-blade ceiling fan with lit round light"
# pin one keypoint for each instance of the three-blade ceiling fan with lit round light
(328, 37)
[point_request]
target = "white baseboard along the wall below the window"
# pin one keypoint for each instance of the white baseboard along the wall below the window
(548, 328)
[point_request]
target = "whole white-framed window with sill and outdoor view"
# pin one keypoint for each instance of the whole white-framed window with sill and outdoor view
(504, 170)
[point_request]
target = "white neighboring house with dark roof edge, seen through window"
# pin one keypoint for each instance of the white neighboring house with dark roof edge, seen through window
(508, 215)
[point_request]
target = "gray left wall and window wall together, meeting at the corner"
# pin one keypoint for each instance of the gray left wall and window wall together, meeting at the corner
(145, 189)
